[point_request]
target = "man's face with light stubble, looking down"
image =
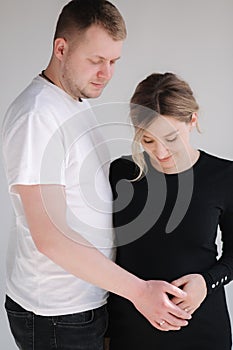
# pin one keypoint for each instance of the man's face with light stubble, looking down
(86, 68)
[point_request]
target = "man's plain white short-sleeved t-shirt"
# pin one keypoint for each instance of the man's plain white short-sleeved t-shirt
(50, 138)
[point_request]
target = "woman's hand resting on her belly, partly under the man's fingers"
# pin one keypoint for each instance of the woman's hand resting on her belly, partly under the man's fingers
(195, 287)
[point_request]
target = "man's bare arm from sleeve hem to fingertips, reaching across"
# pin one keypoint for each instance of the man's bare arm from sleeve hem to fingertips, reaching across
(45, 211)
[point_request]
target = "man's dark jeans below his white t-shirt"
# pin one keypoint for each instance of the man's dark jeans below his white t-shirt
(80, 331)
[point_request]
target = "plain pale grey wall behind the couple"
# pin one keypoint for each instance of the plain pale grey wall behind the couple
(190, 38)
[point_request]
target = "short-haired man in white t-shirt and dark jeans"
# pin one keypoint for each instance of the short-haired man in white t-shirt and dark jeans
(53, 151)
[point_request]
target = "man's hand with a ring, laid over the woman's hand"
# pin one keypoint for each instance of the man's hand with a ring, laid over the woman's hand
(160, 311)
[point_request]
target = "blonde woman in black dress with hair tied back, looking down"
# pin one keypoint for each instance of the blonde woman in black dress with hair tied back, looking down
(170, 200)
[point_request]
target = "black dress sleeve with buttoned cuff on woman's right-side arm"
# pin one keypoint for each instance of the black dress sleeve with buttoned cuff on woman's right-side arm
(221, 273)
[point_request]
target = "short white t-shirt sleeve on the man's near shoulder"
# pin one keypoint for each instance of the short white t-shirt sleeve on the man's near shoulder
(33, 151)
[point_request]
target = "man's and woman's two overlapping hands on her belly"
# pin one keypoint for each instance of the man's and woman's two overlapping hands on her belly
(168, 306)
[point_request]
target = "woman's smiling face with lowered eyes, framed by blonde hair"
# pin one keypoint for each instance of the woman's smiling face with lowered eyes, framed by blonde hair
(167, 142)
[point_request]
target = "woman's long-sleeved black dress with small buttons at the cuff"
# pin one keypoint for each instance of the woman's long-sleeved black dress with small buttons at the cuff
(166, 227)
